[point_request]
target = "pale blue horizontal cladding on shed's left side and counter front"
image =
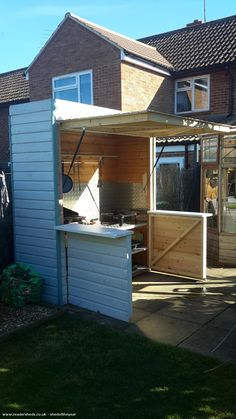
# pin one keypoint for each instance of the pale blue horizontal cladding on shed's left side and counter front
(99, 267)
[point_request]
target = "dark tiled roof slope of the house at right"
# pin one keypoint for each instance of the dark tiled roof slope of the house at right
(199, 46)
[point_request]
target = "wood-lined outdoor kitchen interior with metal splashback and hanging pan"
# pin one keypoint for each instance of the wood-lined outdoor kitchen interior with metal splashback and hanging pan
(105, 184)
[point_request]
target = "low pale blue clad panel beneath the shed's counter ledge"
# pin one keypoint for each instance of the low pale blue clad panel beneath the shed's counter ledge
(99, 274)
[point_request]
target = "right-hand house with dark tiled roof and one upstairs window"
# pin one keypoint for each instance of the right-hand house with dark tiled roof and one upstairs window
(203, 56)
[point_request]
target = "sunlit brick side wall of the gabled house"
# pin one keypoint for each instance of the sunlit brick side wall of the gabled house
(142, 89)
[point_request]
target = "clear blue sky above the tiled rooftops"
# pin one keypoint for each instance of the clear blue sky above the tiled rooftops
(25, 25)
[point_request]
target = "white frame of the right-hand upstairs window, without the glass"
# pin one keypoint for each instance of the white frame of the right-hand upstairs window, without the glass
(184, 89)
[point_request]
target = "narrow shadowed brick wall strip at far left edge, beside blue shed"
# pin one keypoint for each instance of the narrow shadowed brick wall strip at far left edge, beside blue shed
(4, 142)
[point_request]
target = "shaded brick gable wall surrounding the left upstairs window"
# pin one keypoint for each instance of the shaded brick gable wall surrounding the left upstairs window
(73, 49)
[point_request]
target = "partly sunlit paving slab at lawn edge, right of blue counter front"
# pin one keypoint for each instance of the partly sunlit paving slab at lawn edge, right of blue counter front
(165, 329)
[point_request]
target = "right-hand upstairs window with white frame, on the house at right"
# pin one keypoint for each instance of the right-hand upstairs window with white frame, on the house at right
(192, 94)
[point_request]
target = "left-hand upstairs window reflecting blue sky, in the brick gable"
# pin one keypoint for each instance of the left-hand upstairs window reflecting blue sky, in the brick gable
(75, 87)
